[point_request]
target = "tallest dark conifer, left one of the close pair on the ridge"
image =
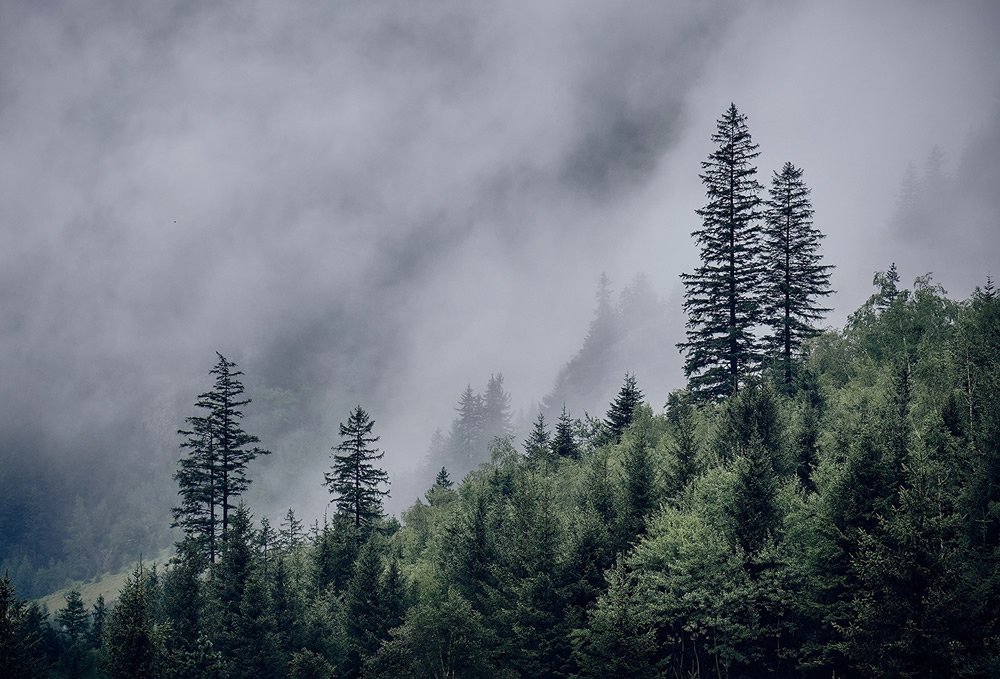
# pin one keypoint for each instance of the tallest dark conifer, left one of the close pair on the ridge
(722, 296)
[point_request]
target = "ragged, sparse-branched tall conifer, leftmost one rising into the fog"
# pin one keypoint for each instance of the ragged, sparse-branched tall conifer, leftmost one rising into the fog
(214, 473)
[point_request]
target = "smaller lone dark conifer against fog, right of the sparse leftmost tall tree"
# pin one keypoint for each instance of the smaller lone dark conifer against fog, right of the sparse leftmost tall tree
(353, 477)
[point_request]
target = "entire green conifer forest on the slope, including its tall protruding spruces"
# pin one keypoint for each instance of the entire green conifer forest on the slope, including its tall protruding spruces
(815, 503)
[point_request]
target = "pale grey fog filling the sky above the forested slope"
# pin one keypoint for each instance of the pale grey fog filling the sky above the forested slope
(382, 202)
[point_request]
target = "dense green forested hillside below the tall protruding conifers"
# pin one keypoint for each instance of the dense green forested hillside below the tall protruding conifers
(843, 523)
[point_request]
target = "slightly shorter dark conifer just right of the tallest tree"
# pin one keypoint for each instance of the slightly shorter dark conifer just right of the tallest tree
(795, 278)
